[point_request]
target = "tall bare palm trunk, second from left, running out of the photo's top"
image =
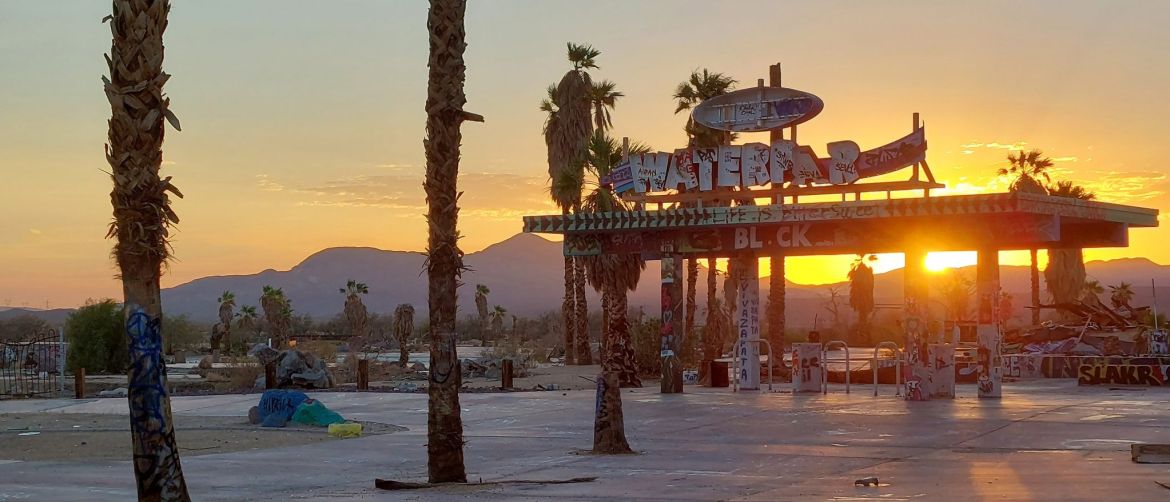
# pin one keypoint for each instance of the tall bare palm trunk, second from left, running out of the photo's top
(445, 260)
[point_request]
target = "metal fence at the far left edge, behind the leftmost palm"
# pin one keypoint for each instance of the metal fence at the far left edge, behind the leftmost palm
(32, 368)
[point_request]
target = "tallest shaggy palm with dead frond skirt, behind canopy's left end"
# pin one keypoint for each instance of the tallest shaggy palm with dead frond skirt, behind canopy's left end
(567, 134)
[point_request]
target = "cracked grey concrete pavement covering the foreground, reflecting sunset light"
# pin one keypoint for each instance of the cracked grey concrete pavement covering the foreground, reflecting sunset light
(1044, 441)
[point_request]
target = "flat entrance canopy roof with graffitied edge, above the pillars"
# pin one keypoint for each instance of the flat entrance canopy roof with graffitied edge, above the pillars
(952, 223)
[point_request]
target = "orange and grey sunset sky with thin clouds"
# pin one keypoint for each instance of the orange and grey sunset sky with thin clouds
(304, 122)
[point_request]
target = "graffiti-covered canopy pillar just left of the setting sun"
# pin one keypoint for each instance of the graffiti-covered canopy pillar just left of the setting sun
(920, 372)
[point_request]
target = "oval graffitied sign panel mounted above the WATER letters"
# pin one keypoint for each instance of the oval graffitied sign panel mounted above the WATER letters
(758, 109)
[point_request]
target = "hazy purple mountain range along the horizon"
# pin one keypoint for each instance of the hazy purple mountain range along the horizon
(525, 276)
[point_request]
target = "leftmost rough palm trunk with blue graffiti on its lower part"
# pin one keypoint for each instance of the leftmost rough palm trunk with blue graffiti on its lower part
(142, 223)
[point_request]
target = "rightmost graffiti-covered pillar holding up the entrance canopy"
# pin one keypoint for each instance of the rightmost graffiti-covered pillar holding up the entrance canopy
(990, 363)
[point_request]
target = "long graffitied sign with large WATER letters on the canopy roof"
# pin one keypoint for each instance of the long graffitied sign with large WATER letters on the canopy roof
(756, 164)
